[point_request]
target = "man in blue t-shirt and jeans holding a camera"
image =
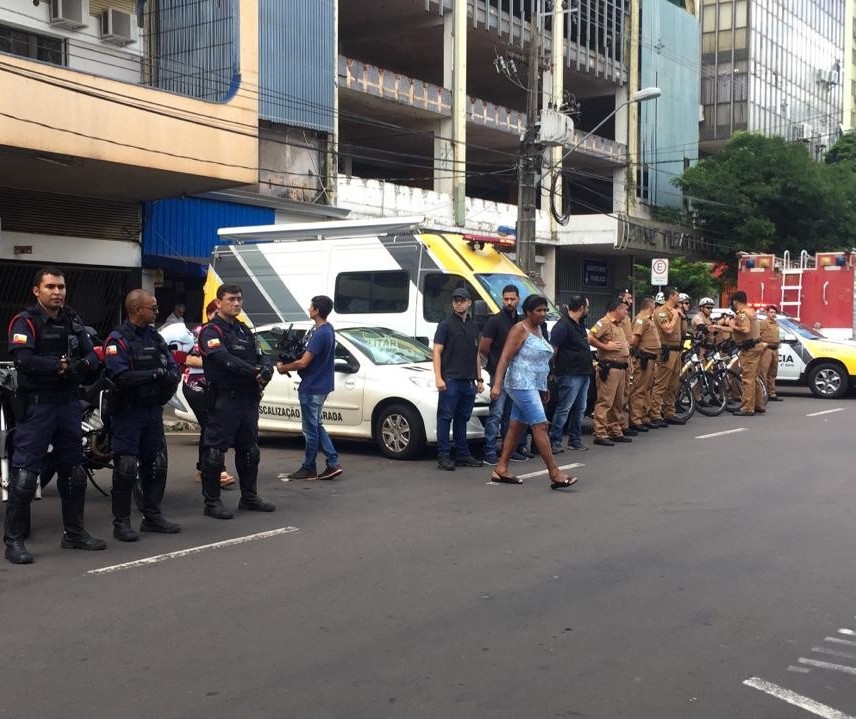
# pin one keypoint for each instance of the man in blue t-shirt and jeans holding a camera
(315, 368)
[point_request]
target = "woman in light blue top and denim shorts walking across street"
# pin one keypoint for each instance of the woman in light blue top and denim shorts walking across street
(522, 370)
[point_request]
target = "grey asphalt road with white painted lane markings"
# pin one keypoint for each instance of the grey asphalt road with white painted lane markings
(679, 568)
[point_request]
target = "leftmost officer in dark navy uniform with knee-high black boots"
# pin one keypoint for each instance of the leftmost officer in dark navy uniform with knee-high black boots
(53, 355)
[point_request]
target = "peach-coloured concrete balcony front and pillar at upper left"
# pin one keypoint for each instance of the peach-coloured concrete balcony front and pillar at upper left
(73, 133)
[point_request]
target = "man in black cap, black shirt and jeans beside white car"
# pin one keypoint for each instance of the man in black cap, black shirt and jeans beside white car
(457, 374)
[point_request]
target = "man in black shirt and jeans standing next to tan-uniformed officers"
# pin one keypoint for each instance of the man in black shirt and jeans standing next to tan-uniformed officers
(572, 368)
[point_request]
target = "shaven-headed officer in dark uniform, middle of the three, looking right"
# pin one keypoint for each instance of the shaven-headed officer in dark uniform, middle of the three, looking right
(145, 375)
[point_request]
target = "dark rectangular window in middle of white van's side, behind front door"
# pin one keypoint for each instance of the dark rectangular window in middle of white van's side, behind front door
(371, 292)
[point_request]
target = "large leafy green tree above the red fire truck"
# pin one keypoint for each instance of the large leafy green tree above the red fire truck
(763, 194)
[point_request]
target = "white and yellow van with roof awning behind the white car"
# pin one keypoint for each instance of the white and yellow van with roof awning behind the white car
(390, 273)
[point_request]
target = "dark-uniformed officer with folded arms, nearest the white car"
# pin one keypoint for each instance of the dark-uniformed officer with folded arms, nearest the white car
(236, 372)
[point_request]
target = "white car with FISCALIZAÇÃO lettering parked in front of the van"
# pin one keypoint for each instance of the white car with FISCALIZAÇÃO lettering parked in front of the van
(384, 392)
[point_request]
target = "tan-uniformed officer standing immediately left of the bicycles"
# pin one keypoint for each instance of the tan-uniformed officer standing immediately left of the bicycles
(667, 372)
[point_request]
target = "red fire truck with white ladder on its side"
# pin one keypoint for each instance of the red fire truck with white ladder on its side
(817, 291)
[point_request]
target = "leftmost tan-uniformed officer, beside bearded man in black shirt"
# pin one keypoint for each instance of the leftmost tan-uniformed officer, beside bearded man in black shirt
(613, 353)
